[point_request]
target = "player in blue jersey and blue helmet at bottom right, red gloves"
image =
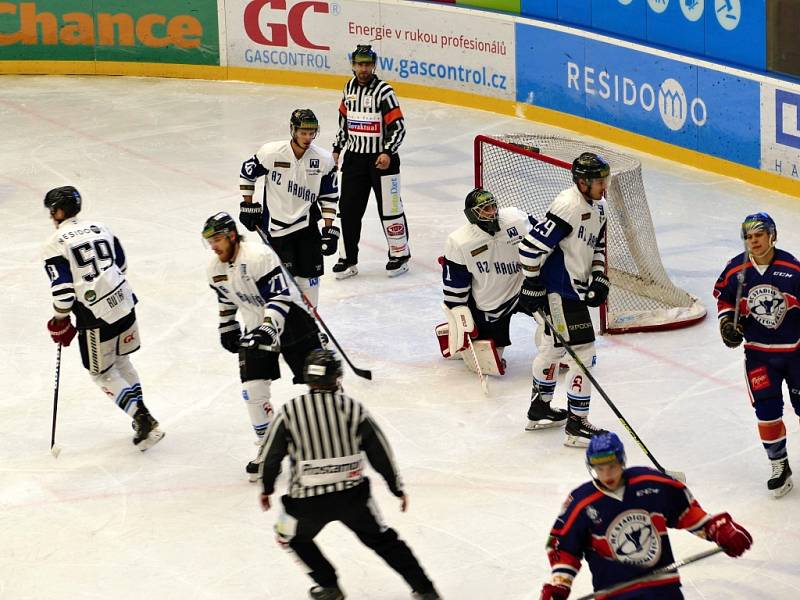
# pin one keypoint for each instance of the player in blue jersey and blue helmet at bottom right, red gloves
(618, 523)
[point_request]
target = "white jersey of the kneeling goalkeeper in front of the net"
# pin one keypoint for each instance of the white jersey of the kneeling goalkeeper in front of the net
(486, 267)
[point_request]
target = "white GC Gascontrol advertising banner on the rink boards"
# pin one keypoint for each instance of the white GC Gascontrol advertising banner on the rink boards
(465, 51)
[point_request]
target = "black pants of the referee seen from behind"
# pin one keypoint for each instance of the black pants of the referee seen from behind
(358, 511)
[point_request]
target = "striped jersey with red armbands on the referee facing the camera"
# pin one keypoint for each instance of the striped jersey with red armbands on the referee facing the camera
(370, 119)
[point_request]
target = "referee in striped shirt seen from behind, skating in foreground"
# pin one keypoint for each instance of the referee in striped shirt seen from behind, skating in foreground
(325, 432)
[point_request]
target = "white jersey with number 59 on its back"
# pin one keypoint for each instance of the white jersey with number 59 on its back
(86, 266)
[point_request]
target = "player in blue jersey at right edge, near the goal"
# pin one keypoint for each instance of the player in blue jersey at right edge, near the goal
(766, 283)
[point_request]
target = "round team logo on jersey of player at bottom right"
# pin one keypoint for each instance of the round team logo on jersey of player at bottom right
(633, 539)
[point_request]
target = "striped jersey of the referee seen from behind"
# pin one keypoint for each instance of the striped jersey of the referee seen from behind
(326, 435)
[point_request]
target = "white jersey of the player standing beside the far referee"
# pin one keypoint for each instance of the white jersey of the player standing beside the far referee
(292, 187)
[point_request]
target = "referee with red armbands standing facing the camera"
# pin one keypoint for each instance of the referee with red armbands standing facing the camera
(371, 129)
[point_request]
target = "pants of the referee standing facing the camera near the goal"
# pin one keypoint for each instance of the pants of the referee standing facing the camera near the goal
(359, 177)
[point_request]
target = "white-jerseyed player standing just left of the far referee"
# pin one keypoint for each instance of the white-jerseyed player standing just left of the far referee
(300, 188)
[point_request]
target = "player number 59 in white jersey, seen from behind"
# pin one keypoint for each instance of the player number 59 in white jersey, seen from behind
(86, 266)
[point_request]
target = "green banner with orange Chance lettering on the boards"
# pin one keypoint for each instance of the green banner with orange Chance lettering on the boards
(159, 31)
